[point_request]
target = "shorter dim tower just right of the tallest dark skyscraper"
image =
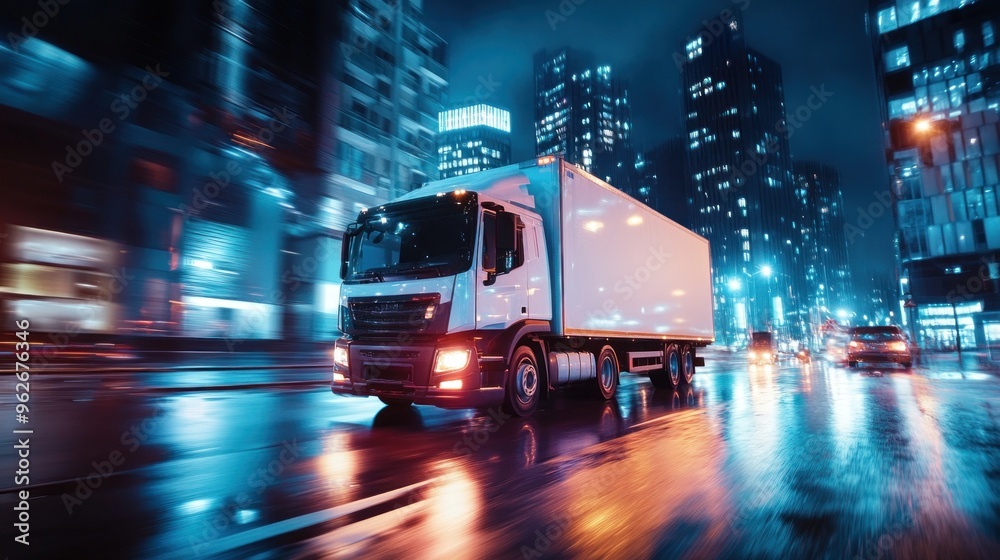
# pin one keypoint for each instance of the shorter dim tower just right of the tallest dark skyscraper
(825, 258)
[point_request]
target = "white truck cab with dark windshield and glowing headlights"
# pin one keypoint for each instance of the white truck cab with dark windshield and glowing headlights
(429, 284)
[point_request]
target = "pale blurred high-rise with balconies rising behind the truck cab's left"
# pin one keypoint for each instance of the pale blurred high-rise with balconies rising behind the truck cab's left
(390, 83)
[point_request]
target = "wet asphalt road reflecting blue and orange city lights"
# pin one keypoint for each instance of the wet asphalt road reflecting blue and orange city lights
(766, 462)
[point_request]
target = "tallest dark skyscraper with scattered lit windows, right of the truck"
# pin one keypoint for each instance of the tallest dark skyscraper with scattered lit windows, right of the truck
(741, 183)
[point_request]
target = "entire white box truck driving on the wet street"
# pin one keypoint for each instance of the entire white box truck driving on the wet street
(497, 287)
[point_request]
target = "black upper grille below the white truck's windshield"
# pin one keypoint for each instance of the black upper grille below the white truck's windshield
(394, 315)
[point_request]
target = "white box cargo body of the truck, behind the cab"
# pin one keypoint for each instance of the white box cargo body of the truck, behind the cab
(624, 270)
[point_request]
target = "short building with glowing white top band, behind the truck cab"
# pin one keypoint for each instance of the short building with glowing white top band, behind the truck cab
(473, 139)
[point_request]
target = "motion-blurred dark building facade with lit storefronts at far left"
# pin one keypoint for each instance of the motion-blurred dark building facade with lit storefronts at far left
(172, 144)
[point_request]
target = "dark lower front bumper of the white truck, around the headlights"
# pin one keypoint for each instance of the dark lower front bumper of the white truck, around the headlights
(405, 372)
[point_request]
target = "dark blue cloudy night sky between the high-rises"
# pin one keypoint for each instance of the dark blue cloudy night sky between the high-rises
(816, 43)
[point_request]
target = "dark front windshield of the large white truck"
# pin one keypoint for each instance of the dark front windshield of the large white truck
(421, 238)
